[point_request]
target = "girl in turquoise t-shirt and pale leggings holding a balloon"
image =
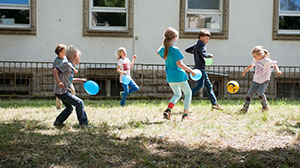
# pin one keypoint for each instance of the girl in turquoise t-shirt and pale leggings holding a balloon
(176, 75)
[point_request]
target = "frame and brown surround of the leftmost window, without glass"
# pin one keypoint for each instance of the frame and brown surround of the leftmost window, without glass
(25, 29)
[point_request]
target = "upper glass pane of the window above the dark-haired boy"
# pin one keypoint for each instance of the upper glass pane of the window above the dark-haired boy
(203, 4)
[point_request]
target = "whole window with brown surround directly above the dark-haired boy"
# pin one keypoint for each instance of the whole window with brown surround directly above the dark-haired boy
(197, 14)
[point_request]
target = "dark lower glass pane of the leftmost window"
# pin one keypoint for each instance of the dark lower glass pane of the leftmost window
(11, 16)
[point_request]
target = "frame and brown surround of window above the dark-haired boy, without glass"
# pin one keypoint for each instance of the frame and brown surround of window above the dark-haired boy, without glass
(224, 11)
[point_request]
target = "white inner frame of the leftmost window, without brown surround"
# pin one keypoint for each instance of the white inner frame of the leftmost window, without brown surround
(17, 7)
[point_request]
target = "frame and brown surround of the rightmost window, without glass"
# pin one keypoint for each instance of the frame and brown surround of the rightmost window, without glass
(283, 34)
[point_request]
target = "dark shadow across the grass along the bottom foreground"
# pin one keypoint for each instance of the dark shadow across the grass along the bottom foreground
(23, 144)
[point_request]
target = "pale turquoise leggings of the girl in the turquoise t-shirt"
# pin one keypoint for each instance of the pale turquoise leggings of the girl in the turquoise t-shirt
(185, 87)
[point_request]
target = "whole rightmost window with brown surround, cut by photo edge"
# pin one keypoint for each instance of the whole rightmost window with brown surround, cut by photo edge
(286, 20)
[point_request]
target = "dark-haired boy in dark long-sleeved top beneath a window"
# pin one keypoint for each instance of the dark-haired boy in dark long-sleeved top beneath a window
(199, 51)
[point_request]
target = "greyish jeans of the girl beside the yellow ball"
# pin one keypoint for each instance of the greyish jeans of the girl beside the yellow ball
(260, 88)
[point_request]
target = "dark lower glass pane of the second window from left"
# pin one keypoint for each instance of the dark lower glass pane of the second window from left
(109, 19)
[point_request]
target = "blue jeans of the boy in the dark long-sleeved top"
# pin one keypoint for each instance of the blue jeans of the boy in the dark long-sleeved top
(208, 86)
